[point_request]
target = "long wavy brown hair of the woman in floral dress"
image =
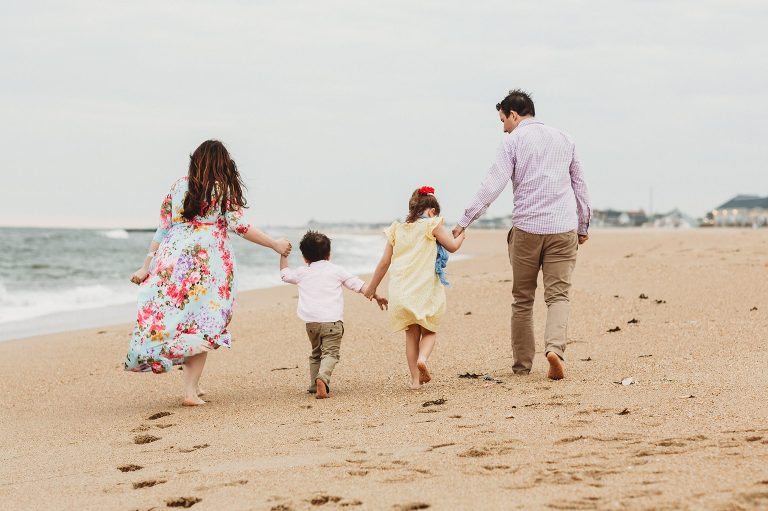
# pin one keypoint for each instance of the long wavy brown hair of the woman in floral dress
(213, 181)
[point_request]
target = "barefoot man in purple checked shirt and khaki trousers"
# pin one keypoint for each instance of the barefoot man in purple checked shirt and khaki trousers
(550, 220)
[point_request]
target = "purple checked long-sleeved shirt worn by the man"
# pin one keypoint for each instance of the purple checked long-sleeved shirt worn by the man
(551, 195)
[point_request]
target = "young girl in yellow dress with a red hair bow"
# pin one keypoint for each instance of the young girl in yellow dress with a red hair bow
(416, 295)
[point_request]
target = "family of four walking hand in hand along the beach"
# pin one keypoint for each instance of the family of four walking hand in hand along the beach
(188, 284)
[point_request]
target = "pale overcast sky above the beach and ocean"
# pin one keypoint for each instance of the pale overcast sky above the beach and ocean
(337, 111)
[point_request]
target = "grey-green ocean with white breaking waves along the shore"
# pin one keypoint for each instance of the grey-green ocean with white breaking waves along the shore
(62, 279)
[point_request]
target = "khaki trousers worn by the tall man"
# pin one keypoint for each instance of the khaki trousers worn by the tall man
(555, 255)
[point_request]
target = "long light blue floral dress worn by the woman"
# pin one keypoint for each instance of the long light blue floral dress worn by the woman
(185, 304)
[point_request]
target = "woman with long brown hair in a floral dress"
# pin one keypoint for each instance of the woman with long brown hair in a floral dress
(187, 283)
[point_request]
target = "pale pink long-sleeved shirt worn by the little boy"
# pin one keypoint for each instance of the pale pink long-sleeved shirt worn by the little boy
(320, 284)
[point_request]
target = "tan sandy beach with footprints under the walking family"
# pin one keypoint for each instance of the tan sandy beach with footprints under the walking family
(691, 433)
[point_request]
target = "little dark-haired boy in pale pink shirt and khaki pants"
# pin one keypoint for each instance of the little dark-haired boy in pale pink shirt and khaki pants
(321, 305)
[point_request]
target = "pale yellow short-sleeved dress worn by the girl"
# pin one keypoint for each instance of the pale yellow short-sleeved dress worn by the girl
(416, 295)
